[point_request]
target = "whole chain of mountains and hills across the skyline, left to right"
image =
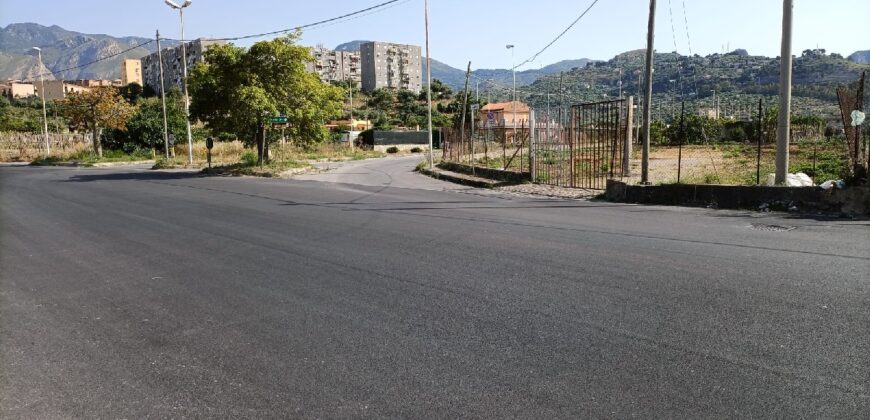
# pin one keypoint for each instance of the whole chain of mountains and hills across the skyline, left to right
(736, 72)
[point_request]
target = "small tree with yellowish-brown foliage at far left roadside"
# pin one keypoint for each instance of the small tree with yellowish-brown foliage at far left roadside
(97, 109)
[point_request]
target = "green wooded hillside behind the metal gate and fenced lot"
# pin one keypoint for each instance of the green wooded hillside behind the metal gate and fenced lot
(737, 78)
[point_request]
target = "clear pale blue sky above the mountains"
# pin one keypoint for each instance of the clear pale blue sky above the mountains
(477, 31)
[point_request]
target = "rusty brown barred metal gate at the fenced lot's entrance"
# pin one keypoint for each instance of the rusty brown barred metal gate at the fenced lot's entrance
(590, 150)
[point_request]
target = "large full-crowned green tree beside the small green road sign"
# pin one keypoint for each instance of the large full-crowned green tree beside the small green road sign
(236, 90)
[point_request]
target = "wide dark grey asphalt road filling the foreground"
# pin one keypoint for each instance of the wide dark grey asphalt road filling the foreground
(373, 292)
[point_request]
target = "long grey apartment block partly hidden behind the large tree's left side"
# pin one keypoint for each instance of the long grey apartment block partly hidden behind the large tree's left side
(173, 74)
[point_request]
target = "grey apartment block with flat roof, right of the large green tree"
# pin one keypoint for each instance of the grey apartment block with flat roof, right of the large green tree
(395, 66)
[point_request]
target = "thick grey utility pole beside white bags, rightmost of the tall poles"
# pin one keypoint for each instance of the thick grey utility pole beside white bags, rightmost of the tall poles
(784, 125)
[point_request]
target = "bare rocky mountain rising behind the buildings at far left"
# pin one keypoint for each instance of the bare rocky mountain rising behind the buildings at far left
(63, 49)
